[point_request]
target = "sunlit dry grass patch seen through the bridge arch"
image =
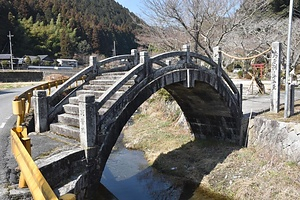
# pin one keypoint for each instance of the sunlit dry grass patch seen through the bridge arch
(153, 130)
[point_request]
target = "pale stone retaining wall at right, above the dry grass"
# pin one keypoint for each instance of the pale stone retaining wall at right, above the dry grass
(280, 138)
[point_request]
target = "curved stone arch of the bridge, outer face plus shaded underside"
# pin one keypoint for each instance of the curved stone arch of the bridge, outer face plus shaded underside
(208, 105)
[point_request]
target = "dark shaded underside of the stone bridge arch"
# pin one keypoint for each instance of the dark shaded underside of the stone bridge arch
(205, 111)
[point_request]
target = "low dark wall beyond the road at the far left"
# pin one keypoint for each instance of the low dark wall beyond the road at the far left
(20, 76)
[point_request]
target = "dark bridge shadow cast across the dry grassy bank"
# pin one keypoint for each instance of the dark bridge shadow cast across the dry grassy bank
(191, 162)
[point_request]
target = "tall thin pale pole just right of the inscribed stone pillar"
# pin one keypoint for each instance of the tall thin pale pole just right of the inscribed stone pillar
(287, 69)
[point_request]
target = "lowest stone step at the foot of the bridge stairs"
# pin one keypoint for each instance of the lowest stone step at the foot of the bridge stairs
(65, 130)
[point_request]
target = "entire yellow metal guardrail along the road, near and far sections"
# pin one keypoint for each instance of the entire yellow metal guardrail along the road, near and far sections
(21, 147)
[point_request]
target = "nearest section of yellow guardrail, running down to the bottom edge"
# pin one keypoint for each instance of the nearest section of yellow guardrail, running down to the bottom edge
(31, 176)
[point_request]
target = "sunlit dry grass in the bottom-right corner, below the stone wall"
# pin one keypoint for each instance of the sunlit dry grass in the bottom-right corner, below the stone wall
(252, 174)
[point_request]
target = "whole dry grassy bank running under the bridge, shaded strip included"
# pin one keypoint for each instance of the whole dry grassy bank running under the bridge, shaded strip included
(218, 167)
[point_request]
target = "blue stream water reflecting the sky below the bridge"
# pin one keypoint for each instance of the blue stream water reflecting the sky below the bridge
(128, 176)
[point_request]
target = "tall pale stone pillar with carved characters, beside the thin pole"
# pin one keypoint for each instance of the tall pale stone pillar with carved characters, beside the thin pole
(275, 77)
